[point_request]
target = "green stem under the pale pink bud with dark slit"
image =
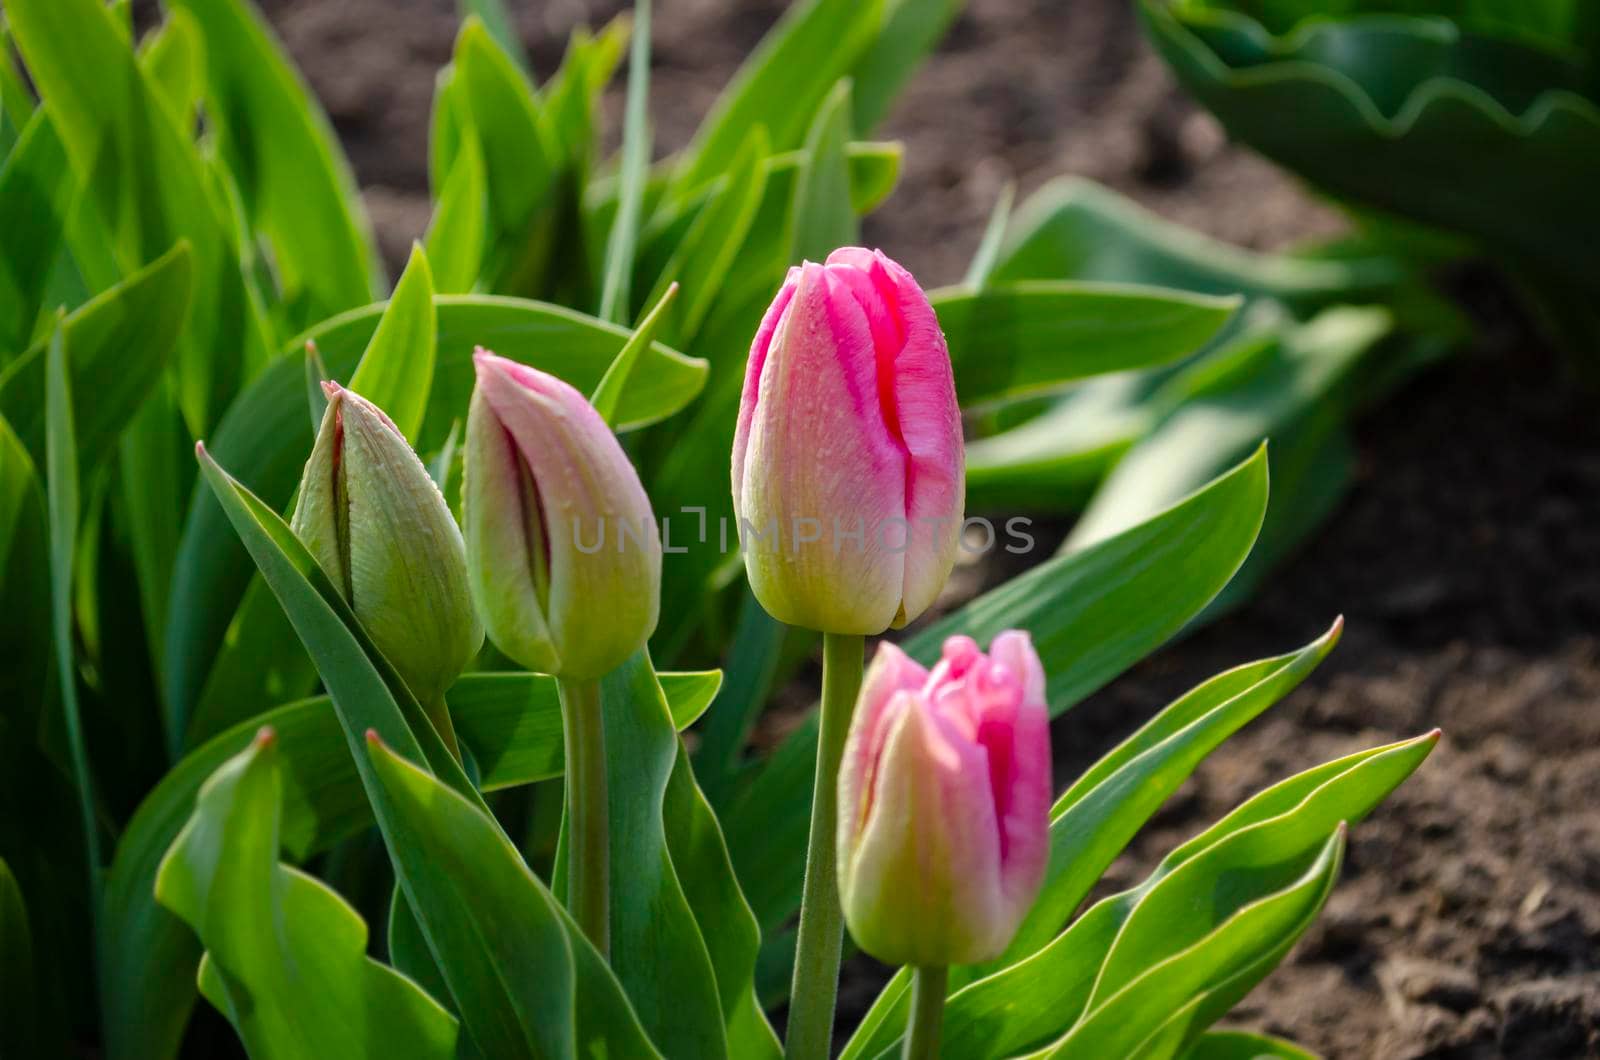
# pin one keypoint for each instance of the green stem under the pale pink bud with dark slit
(588, 827)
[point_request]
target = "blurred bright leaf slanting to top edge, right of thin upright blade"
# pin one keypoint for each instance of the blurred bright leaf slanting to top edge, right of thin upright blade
(783, 84)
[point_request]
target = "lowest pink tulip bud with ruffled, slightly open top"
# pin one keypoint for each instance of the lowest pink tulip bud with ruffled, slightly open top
(945, 803)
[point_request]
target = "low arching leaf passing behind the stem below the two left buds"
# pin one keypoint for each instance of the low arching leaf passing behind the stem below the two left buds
(510, 723)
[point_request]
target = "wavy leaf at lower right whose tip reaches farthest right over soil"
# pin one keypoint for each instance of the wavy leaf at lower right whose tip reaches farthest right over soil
(1263, 845)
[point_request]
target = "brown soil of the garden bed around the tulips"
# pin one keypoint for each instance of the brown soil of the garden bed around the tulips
(1465, 560)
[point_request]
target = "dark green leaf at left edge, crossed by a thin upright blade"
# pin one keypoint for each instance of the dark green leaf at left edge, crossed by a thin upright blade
(119, 347)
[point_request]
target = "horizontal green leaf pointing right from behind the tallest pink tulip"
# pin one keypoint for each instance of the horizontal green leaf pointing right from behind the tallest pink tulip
(1025, 339)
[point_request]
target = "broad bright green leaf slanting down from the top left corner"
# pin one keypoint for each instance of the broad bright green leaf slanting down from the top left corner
(148, 185)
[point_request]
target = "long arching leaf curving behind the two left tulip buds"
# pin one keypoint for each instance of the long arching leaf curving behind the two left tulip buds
(266, 440)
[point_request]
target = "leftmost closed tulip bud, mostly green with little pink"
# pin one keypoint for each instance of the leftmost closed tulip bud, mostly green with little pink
(380, 529)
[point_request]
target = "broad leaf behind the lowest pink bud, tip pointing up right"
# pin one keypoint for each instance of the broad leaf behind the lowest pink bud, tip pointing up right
(1092, 616)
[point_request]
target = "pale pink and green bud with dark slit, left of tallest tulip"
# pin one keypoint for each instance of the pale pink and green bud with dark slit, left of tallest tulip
(562, 545)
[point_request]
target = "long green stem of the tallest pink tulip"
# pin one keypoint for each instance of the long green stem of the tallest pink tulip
(822, 921)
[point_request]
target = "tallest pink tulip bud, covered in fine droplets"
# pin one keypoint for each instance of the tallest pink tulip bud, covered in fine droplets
(849, 473)
